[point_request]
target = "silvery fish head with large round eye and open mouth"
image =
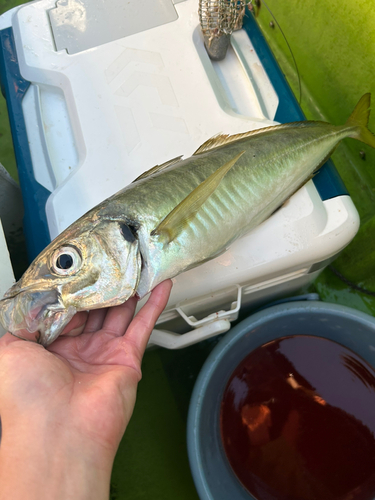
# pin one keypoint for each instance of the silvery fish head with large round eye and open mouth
(92, 264)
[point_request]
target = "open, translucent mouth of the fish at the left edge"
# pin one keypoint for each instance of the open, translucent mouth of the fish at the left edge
(38, 316)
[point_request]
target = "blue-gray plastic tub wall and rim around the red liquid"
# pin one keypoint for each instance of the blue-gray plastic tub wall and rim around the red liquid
(211, 471)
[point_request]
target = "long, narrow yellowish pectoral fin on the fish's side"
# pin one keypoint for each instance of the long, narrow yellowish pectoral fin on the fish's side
(176, 221)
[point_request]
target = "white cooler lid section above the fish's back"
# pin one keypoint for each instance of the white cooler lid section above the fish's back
(131, 104)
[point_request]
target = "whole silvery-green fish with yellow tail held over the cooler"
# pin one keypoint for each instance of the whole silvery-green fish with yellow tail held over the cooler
(172, 218)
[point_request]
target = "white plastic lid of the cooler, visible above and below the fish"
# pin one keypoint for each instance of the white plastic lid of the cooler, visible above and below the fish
(99, 118)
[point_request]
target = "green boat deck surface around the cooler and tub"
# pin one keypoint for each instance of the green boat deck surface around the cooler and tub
(333, 47)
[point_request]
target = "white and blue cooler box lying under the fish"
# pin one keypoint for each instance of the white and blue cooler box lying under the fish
(97, 96)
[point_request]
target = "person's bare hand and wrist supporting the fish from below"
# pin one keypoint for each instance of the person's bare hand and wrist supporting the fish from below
(64, 409)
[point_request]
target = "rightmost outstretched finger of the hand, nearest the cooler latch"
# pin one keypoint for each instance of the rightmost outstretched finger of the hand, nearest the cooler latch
(141, 327)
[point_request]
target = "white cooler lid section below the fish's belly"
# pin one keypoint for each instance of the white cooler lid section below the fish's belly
(305, 231)
